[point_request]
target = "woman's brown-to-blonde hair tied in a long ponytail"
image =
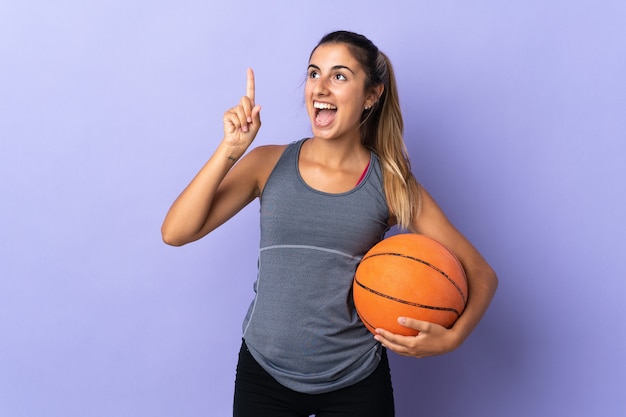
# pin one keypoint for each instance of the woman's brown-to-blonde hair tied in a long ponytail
(382, 127)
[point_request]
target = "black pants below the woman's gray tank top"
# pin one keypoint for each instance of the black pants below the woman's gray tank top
(258, 394)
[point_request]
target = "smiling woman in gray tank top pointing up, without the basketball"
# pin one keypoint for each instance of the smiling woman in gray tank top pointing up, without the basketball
(325, 201)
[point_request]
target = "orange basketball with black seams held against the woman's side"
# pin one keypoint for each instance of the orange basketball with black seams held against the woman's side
(409, 275)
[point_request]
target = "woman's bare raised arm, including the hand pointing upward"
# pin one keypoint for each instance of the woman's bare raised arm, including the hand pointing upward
(220, 190)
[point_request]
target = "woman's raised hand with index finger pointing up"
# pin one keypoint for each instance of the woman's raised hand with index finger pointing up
(242, 122)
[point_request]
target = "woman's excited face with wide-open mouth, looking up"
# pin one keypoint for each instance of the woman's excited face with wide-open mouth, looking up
(335, 92)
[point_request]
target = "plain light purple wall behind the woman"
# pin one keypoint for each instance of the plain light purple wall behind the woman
(515, 120)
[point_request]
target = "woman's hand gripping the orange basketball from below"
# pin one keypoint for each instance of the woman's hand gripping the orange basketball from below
(431, 340)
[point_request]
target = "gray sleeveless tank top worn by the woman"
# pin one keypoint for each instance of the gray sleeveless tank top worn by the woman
(302, 327)
